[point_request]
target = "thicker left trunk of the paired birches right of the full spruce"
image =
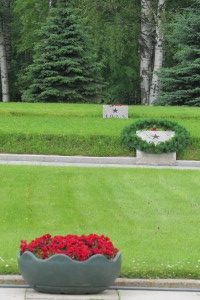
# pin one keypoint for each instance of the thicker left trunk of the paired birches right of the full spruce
(146, 49)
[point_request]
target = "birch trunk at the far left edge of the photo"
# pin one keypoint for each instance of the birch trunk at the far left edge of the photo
(3, 66)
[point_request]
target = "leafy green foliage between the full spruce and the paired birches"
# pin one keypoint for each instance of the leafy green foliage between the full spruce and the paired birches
(114, 26)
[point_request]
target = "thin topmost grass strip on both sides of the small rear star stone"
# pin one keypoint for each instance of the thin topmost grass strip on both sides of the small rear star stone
(95, 110)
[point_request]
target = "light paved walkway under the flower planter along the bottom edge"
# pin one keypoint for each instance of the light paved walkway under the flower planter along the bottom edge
(29, 294)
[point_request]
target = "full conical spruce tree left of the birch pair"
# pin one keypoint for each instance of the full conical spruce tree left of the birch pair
(64, 69)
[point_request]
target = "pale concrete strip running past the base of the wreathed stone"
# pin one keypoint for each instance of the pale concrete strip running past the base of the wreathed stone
(86, 161)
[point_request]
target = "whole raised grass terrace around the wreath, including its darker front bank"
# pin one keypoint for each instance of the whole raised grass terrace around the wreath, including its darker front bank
(79, 129)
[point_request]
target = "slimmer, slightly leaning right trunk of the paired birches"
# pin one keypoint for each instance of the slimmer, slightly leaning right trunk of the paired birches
(158, 58)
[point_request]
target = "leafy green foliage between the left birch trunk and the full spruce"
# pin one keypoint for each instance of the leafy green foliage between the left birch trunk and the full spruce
(28, 18)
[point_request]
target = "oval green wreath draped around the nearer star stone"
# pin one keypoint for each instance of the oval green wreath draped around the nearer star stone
(177, 143)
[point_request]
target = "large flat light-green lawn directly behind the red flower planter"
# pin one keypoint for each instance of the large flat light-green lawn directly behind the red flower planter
(151, 215)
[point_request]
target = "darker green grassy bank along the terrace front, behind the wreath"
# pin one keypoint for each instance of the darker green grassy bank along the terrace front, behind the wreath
(89, 145)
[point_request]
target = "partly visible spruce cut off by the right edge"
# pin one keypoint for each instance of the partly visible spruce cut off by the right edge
(180, 83)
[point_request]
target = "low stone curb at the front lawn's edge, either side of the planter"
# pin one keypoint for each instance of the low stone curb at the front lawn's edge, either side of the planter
(123, 282)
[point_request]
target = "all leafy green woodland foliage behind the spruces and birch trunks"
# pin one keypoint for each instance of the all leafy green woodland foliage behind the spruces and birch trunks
(114, 27)
